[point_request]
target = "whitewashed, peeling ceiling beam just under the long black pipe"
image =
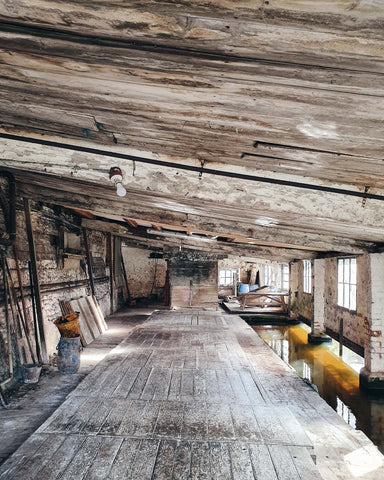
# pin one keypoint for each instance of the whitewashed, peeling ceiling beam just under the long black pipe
(187, 192)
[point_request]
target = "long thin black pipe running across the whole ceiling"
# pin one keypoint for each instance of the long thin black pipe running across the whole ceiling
(191, 168)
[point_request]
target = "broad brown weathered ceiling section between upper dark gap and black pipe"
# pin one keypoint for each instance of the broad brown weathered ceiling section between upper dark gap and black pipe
(159, 116)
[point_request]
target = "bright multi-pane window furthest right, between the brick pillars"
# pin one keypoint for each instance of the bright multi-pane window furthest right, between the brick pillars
(346, 283)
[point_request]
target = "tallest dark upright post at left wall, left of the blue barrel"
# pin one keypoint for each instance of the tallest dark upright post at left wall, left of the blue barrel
(36, 284)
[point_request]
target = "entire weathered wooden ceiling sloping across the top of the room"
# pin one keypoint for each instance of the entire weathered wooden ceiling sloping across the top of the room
(255, 124)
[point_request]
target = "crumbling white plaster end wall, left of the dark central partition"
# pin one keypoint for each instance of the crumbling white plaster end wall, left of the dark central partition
(145, 275)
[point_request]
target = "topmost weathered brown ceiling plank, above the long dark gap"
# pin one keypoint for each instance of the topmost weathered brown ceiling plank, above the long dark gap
(219, 26)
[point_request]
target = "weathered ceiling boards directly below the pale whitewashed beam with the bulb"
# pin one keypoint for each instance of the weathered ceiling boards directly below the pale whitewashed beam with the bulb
(211, 216)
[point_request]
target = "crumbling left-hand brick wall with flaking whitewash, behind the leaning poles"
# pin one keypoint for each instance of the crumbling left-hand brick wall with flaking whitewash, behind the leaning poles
(60, 277)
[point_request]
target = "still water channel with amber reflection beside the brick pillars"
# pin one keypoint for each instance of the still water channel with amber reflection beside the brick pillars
(337, 379)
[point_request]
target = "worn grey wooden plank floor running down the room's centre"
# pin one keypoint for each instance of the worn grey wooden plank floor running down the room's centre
(188, 395)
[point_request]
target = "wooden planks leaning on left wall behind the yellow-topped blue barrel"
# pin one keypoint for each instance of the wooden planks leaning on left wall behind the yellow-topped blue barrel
(91, 319)
